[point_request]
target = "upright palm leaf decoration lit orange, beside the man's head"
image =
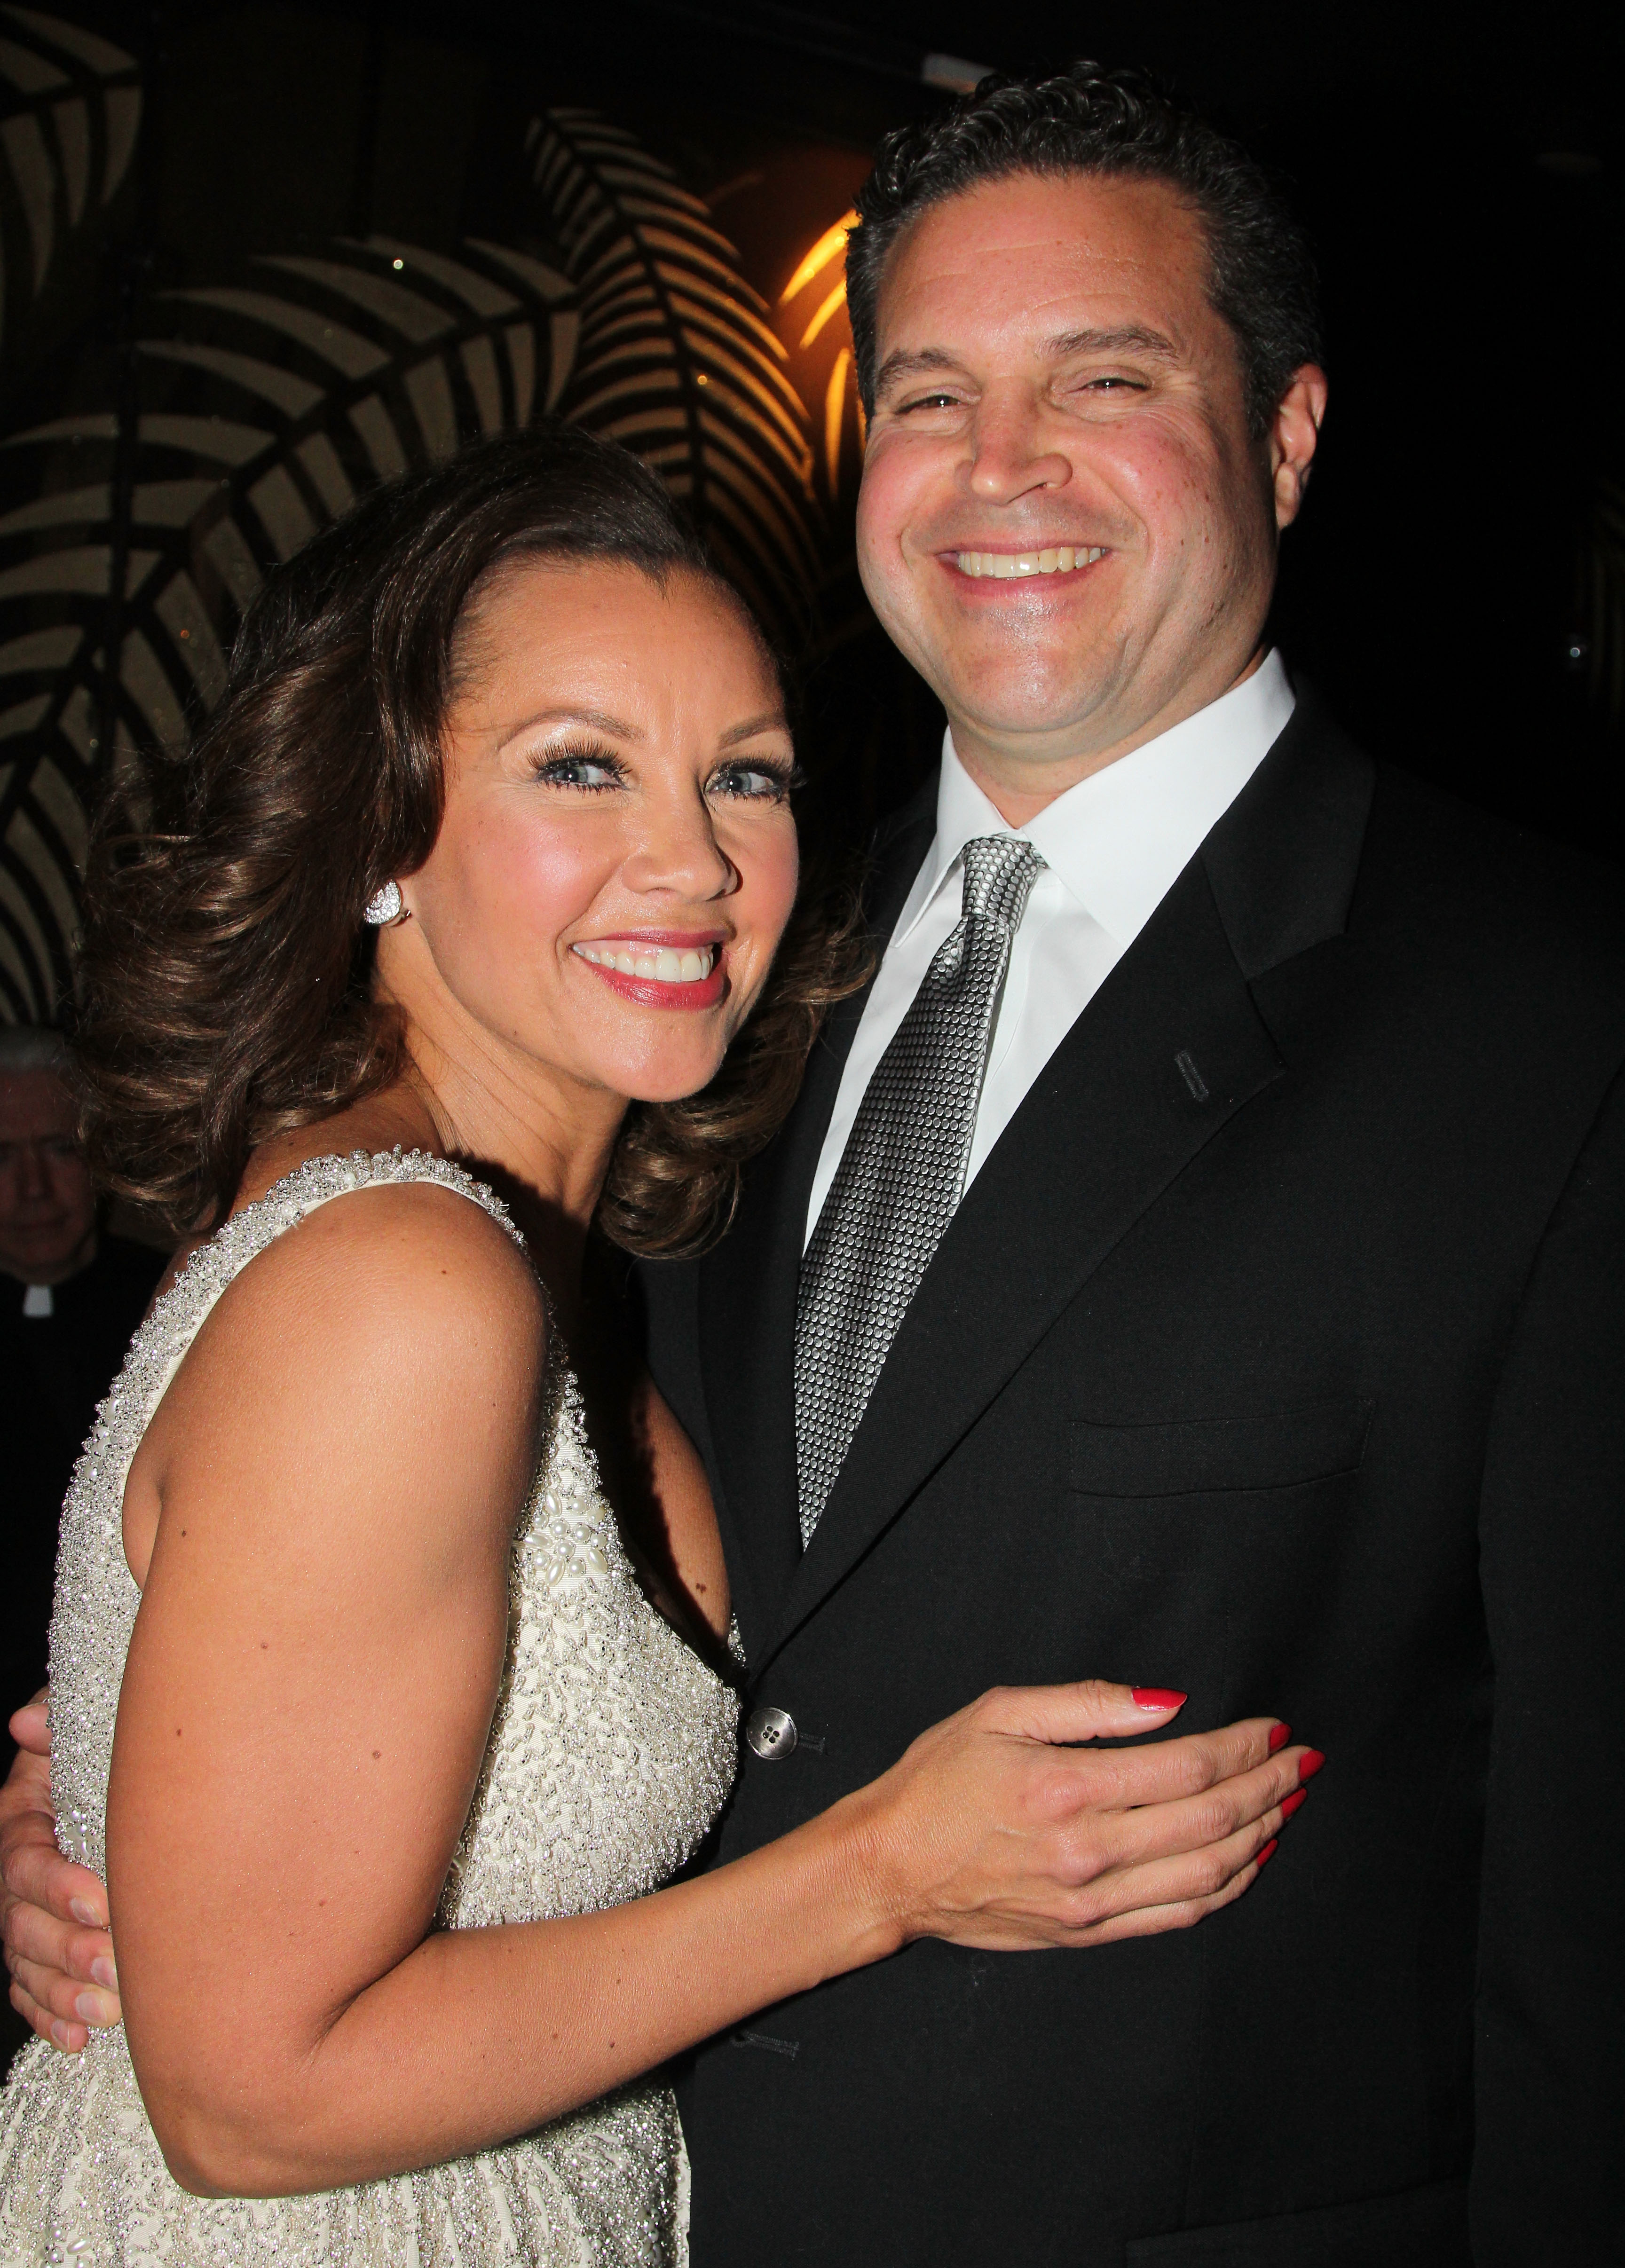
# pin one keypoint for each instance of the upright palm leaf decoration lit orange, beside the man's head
(677, 357)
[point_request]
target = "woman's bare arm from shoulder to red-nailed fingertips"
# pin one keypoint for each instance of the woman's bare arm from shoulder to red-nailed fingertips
(308, 1704)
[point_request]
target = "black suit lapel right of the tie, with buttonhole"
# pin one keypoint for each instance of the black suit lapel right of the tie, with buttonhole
(1165, 1056)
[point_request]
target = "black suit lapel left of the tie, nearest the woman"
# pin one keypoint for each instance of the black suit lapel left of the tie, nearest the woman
(748, 1287)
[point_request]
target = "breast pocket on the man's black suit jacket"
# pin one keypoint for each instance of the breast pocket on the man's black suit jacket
(1213, 1457)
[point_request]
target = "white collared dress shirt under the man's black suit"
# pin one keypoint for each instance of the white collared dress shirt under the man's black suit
(1113, 847)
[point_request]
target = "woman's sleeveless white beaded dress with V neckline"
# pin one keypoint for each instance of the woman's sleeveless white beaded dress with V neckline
(612, 1752)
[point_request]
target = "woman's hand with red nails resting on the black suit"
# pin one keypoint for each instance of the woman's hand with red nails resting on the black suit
(995, 1831)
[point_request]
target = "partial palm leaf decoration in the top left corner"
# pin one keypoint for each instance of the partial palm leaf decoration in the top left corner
(69, 117)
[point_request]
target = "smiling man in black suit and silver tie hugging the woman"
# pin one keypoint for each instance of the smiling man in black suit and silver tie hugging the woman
(1195, 1258)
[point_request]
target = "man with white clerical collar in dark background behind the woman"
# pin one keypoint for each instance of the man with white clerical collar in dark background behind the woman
(69, 1301)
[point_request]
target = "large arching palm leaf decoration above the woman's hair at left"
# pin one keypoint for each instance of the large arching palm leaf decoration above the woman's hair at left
(264, 412)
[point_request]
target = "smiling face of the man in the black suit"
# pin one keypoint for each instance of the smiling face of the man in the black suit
(1056, 384)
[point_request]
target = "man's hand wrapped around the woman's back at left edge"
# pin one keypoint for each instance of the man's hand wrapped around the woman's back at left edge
(53, 1915)
